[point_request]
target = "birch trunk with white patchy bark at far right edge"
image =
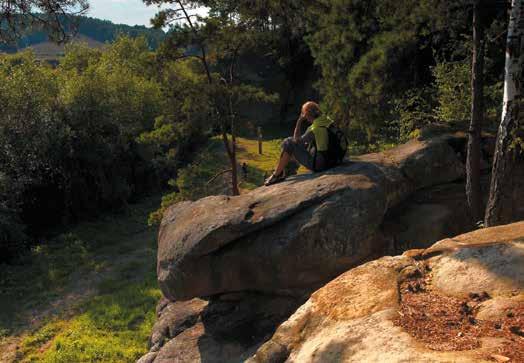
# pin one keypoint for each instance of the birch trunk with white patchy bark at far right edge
(500, 203)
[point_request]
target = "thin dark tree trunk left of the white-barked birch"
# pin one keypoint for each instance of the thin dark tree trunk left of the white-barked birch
(473, 189)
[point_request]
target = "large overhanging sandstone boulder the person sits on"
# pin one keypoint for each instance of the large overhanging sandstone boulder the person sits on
(291, 238)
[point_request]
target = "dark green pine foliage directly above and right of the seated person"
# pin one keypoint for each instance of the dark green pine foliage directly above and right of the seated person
(362, 48)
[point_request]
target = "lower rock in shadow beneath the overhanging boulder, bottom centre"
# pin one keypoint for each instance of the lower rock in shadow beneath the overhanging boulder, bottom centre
(229, 329)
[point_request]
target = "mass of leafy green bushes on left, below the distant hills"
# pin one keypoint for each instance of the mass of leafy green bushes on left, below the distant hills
(69, 135)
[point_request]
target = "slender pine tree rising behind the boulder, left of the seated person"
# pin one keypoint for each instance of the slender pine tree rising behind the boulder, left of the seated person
(217, 41)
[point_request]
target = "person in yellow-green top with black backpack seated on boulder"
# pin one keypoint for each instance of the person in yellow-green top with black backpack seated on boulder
(310, 149)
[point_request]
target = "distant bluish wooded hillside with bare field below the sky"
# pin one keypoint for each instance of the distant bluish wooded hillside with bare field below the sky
(94, 32)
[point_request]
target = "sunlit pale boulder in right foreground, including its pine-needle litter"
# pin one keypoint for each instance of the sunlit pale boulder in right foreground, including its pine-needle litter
(361, 315)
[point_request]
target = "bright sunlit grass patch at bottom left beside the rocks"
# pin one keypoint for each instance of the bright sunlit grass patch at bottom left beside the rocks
(112, 327)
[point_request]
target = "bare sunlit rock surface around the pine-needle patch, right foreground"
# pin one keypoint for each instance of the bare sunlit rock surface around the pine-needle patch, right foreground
(351, 318)
